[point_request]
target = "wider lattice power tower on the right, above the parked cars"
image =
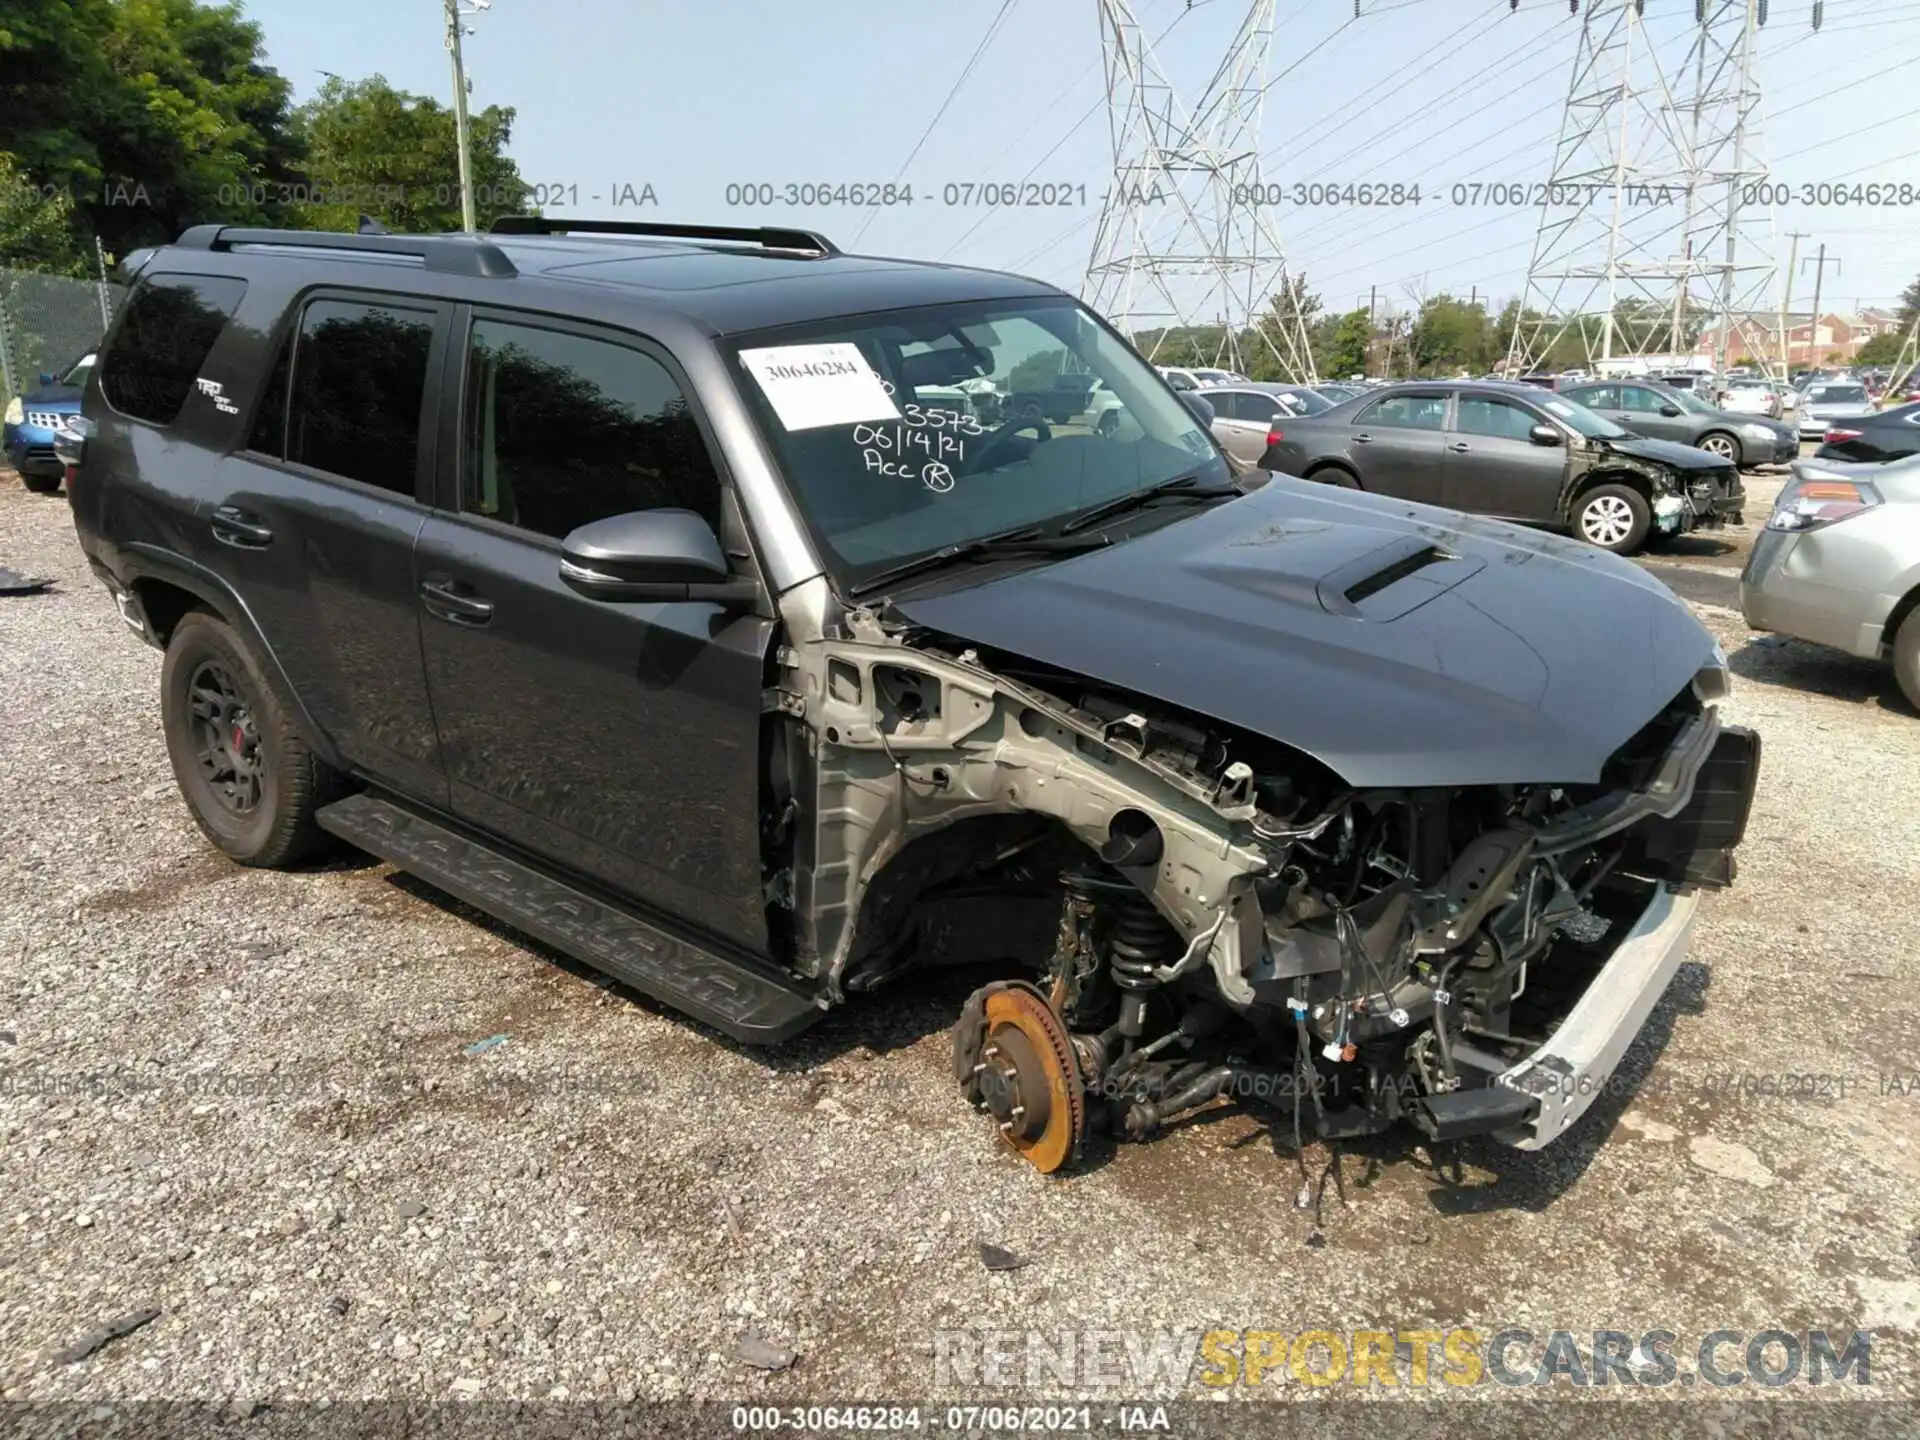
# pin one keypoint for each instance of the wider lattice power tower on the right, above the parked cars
(1652, 218)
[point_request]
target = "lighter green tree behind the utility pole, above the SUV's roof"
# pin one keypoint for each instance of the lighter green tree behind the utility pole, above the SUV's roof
(391, 155)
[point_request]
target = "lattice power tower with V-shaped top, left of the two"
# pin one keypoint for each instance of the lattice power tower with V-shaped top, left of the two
(1182, 233)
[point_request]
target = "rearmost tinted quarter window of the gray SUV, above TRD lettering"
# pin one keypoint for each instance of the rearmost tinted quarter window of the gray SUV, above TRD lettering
(170, 327)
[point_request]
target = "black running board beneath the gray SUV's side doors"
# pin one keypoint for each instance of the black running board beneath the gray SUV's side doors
(744, 1001)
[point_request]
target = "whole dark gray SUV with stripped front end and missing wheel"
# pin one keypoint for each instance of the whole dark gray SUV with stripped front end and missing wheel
(660, 592)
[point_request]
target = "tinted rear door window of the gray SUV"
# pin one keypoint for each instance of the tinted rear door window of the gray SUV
(347, 395)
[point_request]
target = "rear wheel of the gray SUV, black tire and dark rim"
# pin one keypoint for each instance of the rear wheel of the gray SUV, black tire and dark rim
(251, 780)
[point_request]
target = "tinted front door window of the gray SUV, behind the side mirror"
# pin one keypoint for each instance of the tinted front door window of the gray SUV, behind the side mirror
(564, 431)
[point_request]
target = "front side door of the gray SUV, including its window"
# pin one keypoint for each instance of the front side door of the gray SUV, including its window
(619, 740)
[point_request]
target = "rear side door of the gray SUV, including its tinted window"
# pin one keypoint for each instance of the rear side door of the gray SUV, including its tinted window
(314, 519)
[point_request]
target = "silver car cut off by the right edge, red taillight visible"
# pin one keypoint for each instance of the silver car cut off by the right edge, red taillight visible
(1840, 564)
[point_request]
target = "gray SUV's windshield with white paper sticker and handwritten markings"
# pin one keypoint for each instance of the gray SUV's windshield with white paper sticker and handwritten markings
(905, 433)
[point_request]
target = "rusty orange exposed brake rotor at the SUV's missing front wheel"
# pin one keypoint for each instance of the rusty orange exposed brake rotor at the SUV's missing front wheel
(1013, 1055)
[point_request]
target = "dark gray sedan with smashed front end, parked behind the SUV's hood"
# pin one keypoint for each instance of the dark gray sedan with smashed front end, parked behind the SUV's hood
(1514, 454)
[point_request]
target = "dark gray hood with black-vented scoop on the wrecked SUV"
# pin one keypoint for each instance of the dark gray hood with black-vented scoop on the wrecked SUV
(1397, 644)
